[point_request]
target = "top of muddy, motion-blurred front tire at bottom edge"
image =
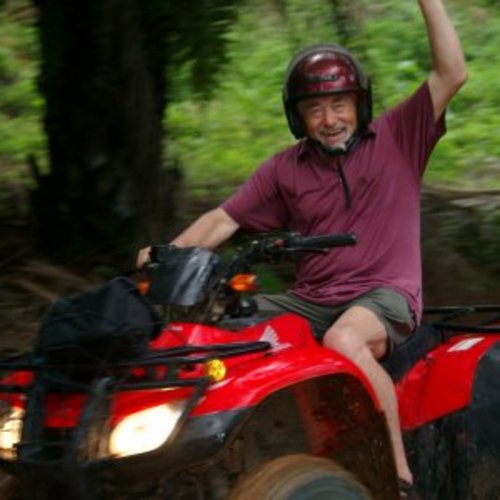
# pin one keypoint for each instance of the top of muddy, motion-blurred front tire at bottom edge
(299, 477)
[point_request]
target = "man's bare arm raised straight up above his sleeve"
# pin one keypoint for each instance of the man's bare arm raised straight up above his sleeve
(449, 71)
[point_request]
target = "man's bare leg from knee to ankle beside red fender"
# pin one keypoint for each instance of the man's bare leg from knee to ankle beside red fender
(360, 336)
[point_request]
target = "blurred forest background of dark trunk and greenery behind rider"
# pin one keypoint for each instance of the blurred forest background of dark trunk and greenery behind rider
(122, 120)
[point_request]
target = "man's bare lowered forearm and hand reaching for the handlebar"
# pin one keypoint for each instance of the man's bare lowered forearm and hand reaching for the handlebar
(208, 231)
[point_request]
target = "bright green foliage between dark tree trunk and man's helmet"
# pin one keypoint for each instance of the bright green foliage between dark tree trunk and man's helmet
(222, 140)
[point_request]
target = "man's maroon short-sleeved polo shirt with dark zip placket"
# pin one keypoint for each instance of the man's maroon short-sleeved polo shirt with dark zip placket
(377, 198)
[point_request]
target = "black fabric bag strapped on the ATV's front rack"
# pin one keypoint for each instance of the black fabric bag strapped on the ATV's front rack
(112, 322)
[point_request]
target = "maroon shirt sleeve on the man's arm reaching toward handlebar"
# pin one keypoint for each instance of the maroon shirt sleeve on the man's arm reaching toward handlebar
(258, 205)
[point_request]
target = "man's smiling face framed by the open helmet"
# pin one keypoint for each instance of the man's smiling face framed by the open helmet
(330, 119)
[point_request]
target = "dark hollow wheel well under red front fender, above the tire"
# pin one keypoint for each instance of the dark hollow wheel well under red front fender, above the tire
(331, 416)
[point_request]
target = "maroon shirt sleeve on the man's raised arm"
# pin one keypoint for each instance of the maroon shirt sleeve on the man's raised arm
(414, 128)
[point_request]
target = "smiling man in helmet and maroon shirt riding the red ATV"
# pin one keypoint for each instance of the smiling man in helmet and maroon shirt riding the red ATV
(349, 174)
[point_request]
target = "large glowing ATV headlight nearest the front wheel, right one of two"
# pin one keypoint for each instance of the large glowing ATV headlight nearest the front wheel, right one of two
(145, 430)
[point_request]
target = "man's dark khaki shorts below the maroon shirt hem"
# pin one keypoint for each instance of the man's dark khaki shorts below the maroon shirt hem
(390, 307)
